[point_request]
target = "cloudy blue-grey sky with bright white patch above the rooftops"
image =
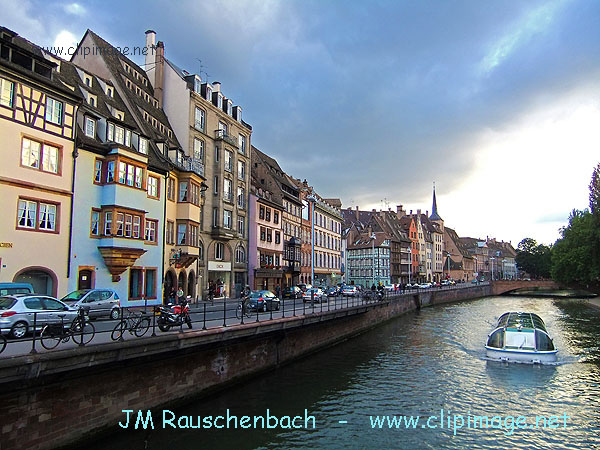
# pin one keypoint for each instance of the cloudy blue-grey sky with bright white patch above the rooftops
(496, 102)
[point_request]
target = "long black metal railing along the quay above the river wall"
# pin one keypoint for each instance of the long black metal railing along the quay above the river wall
(30, 332)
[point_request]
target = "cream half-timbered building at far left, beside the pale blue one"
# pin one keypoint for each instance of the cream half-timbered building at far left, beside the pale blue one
(37, 116)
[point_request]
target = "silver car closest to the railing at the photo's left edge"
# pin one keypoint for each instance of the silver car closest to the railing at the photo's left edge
(17, 313)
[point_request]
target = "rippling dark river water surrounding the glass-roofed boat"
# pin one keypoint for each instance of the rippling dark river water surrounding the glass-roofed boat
(418, 364)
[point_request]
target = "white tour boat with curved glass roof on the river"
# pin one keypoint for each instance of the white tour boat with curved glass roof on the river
(520, 337)
